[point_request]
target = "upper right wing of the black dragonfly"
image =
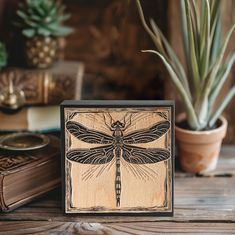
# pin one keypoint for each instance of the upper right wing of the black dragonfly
(147, 135)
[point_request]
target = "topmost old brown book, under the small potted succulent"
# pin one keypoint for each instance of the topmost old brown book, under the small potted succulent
(52, 86)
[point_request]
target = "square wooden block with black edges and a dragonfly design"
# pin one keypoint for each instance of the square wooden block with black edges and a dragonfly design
(118, 157)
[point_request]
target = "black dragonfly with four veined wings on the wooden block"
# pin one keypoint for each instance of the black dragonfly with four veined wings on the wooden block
(118, 146)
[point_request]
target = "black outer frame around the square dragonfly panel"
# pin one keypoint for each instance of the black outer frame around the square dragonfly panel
(118, 104)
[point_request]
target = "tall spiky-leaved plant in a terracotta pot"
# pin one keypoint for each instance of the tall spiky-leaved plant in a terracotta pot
(200, 130)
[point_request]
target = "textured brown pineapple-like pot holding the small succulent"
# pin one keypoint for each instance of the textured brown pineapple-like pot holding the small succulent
(41, 52)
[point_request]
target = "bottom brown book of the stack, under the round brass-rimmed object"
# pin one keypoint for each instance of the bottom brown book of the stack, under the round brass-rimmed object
(27, 175)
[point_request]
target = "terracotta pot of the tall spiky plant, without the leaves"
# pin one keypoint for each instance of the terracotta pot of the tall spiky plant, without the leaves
(199, 150)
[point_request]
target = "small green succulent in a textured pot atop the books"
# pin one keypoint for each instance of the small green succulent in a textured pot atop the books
(41, 24)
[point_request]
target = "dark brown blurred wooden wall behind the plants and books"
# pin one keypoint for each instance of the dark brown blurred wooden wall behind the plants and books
(109, 37)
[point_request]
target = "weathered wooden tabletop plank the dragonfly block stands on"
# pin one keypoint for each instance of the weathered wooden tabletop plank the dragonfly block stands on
(196, 200)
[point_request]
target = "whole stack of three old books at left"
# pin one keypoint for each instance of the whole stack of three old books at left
(27, 175)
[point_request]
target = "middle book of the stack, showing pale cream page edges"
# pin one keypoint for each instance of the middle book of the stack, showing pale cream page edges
(42, 119)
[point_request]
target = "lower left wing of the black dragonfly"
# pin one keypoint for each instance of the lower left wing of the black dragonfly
(94, 156)
